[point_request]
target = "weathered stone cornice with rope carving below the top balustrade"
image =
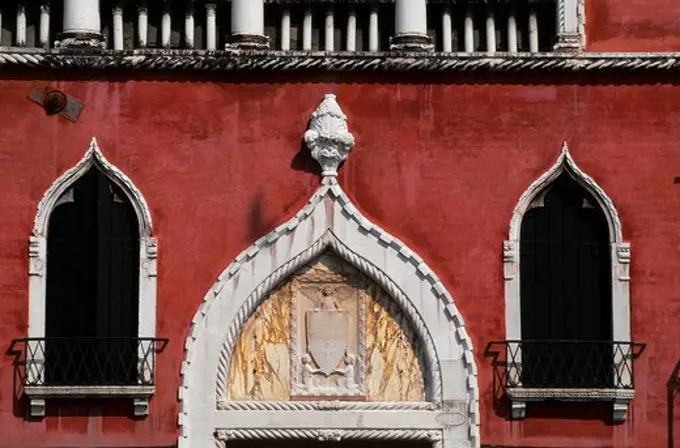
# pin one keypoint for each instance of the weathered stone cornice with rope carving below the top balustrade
(309, 62)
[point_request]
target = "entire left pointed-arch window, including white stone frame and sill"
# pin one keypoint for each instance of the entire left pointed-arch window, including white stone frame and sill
(92, 289)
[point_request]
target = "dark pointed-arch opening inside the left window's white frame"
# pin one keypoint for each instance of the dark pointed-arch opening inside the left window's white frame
(92, 282)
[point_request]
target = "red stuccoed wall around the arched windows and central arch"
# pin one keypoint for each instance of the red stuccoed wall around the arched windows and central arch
(439, 162)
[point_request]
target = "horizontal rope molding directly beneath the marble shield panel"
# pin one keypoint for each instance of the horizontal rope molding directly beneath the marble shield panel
(227, 405)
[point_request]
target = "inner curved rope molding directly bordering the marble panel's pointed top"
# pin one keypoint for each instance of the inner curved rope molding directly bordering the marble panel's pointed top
(328, 240)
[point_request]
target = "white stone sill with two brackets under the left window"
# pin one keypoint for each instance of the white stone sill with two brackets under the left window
(140, 395)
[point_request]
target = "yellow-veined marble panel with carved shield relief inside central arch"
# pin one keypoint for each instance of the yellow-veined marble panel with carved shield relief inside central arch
(328, 332)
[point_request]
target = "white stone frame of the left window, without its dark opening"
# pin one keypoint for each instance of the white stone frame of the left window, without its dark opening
(37, 286)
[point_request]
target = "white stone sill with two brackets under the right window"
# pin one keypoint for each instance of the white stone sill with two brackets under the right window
(519, 396)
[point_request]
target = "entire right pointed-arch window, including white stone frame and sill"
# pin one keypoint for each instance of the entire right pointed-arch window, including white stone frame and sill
(567, 301)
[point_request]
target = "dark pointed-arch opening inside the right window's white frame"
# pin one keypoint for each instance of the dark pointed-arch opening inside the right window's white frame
(565, 286)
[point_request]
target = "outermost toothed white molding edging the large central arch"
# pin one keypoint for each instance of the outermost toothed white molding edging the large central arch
(330, 188)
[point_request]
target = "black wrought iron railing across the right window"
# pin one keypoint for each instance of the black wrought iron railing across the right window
(567, 364)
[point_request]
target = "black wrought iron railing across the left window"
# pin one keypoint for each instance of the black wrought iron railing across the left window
(94, 364)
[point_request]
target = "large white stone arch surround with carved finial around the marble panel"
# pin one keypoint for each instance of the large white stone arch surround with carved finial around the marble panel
(448, 417)
